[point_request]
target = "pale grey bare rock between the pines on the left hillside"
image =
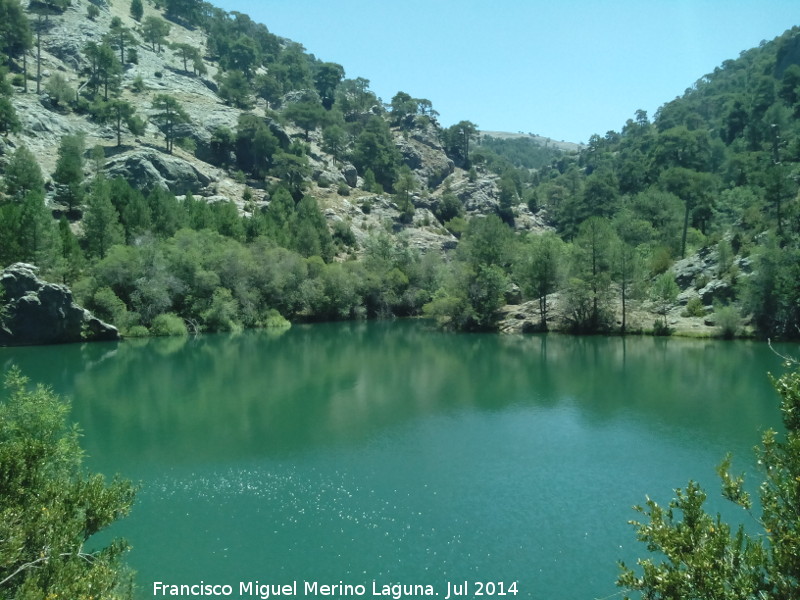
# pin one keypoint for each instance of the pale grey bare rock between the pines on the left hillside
(143, 160)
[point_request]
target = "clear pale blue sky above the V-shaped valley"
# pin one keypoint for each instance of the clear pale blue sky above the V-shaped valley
(564, 69)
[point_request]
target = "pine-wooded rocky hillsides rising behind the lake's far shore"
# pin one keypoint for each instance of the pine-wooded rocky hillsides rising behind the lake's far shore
(182, 168)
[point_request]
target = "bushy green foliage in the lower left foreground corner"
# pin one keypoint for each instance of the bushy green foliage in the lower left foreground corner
(50, 507)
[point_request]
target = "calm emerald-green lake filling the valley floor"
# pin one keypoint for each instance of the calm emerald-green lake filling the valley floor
(352, 453)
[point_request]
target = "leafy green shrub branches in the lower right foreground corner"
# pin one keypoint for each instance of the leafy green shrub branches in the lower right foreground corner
(702, 557)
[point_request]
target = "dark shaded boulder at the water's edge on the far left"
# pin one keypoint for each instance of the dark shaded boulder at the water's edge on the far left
(33, 311)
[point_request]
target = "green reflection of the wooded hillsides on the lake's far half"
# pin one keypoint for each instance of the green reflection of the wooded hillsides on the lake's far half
(255, 394)
